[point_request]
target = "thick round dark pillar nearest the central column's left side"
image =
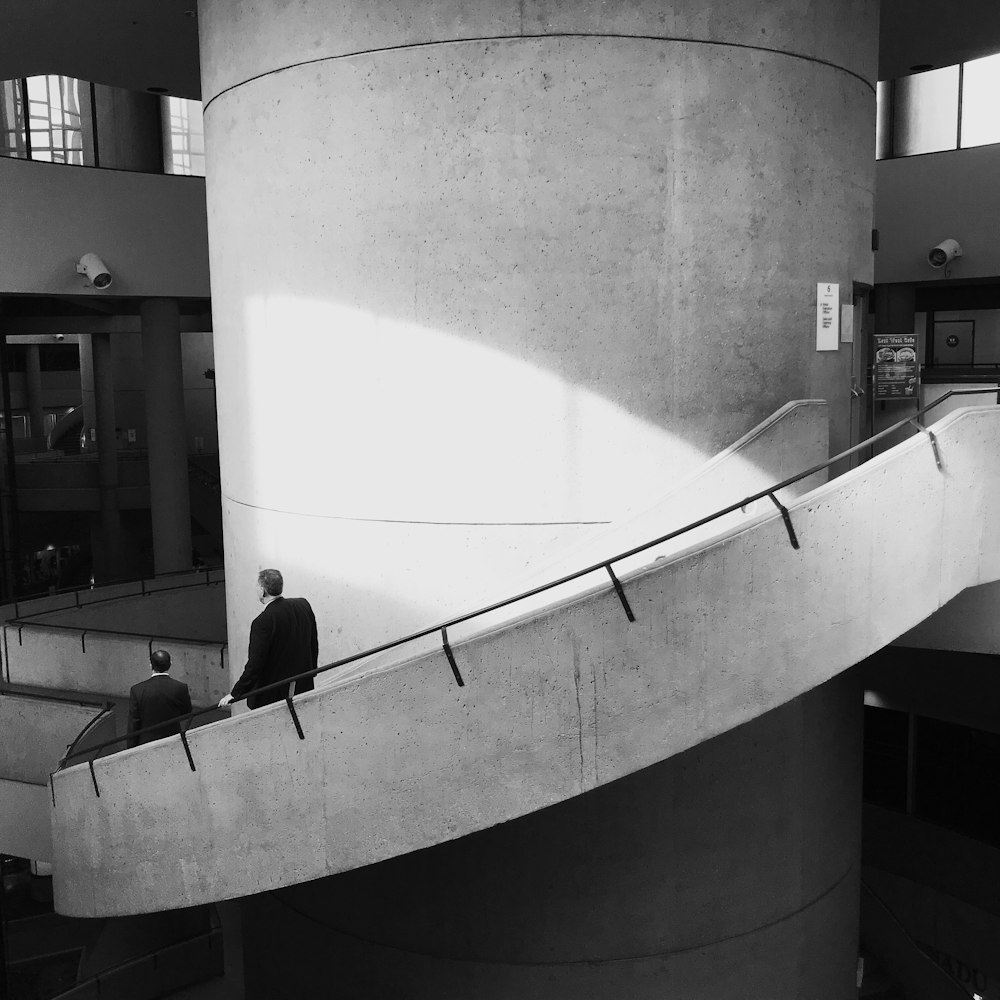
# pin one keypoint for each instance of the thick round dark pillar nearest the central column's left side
(165, 431)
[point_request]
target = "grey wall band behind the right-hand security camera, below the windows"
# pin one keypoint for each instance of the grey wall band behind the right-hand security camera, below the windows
(922, 200)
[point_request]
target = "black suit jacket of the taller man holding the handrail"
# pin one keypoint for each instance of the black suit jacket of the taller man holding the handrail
(283, 642)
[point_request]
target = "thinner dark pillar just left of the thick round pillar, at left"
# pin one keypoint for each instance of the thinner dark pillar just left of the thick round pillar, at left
(108, 558)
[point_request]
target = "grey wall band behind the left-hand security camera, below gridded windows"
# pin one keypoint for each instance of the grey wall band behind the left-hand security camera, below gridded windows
(148, 229)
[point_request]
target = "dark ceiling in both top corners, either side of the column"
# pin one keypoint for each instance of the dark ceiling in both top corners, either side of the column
(154, 43)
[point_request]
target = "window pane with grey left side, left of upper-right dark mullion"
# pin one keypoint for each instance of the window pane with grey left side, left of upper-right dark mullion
(925, 118)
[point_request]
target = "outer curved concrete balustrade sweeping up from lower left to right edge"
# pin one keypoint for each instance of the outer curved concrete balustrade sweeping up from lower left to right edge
(555, 704)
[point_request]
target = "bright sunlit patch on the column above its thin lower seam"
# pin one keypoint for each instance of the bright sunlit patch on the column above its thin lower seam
(351, 414)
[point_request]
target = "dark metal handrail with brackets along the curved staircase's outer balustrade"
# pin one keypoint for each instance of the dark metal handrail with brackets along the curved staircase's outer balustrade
(605, 564)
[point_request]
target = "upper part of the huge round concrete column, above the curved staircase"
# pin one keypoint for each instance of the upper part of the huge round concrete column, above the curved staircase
(486, 274)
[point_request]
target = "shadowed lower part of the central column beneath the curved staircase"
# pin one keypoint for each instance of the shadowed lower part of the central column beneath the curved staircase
(734, 862)
